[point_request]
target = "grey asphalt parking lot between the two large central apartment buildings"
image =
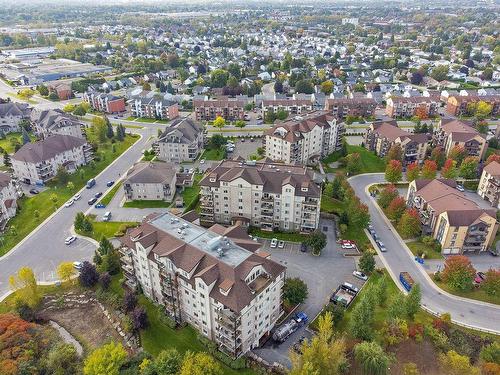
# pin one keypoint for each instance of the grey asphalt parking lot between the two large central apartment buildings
(322, 275)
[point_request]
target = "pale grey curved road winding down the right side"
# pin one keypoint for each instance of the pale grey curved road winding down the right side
(474, 314)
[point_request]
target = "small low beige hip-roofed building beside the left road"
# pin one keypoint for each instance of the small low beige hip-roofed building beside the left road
(150, 181)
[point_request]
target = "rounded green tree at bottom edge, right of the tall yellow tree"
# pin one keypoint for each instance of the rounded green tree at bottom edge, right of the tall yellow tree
(372, 358)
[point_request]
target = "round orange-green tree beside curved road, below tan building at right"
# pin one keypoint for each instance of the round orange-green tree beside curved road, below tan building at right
(458, 272)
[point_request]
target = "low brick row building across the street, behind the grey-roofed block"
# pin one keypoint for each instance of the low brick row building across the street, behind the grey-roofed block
(210, 109)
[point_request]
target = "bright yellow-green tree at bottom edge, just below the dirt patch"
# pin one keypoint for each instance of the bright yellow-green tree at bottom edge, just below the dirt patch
(105, 360)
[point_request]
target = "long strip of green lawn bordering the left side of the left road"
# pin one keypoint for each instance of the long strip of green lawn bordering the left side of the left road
(25, 220)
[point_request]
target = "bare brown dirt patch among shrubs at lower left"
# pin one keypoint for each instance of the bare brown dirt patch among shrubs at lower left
(86, 323)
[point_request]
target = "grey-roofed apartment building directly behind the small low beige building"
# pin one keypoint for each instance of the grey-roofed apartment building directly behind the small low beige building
(182, 141)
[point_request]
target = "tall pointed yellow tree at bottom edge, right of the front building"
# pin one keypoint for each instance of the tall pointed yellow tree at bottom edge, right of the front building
(323, 354)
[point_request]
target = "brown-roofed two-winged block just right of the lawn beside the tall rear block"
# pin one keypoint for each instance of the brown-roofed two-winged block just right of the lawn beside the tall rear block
(382, 135)
